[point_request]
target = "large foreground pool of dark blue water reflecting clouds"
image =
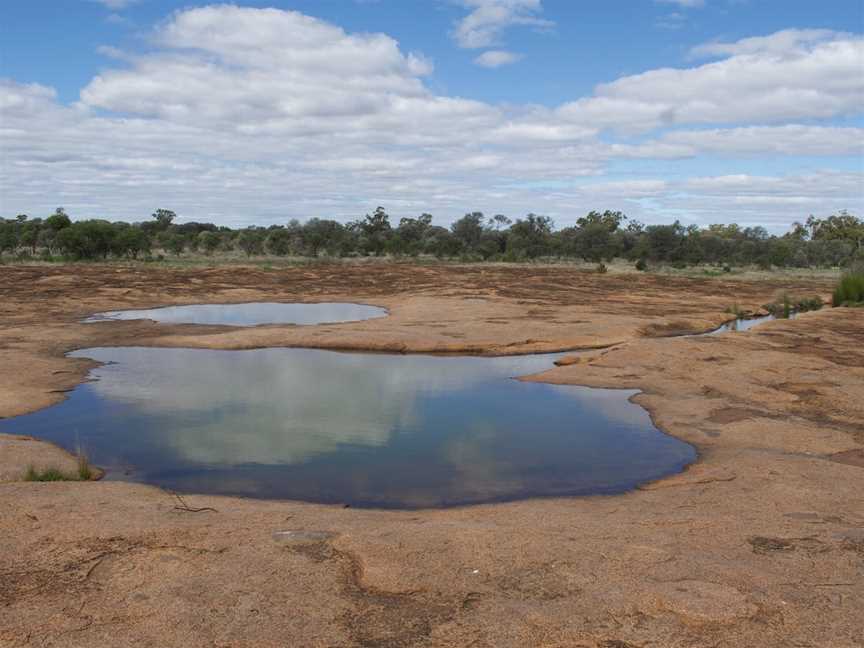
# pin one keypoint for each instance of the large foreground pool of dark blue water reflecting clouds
(397, 431)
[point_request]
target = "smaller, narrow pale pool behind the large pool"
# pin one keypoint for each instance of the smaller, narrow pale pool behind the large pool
(251, 314)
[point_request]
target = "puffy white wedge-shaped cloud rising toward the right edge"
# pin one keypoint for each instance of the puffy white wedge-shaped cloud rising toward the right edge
(808, 80)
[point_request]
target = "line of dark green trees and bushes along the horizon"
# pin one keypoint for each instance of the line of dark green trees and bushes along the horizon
(837, 240)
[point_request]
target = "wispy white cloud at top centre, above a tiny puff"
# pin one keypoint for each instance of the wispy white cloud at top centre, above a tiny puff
(490, 18)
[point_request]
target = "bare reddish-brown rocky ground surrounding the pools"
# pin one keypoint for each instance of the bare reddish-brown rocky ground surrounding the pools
(760, 543)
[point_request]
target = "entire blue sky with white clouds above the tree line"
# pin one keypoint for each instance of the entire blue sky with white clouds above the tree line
(702, 111)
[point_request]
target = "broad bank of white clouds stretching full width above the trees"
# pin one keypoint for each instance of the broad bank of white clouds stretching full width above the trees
(245, 116)
